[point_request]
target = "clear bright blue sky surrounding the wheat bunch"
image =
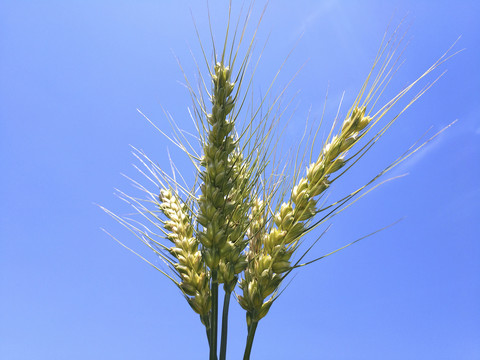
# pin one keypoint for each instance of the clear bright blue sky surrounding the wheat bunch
(73, 74)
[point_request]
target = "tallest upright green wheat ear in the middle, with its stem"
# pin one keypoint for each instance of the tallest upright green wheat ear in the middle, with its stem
(214, 205)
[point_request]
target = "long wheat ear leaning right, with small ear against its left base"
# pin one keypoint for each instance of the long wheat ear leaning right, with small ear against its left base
(270, 252)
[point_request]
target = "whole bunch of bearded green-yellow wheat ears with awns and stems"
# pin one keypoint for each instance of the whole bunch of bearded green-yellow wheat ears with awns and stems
(242, 222)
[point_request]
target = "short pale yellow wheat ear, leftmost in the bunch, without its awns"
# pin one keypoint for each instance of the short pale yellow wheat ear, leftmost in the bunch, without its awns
(190, 265)
